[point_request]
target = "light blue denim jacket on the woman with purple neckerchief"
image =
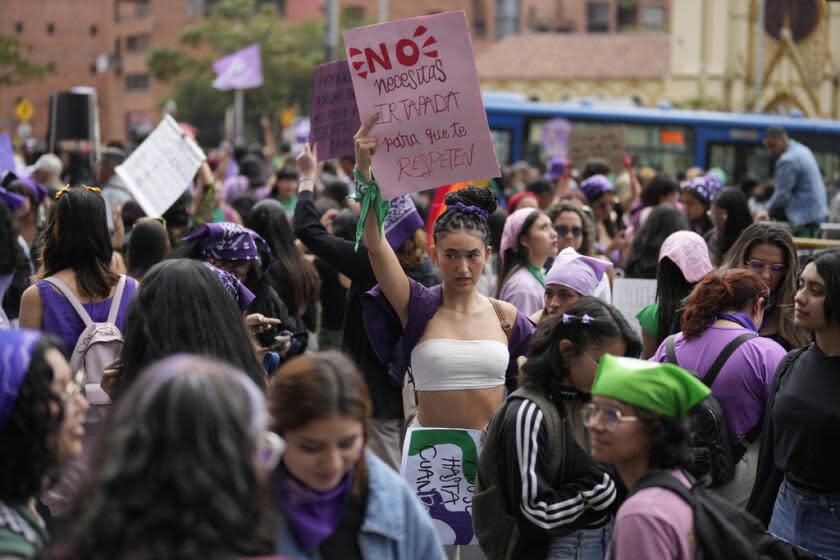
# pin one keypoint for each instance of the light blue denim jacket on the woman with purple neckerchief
(396, 525)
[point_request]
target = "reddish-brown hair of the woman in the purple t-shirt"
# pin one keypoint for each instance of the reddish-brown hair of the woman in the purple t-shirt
(718, 292)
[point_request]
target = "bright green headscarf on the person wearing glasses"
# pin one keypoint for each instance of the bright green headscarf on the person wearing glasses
(662, 388)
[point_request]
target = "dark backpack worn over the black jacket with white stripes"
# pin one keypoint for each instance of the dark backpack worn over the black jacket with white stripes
(493, 522)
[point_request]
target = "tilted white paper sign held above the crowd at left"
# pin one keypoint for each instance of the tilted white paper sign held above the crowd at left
(161, 168)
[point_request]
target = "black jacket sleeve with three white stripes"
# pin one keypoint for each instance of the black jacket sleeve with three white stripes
(557, 507)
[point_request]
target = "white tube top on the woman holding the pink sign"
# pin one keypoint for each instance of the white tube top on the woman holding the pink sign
(445, 364)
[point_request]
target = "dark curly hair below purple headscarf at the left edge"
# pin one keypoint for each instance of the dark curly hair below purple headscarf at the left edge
(28, 457)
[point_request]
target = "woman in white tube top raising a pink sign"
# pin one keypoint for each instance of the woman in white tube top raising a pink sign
(461, 346)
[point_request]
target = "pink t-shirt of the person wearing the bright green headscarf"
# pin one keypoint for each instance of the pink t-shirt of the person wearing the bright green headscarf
(654, 523)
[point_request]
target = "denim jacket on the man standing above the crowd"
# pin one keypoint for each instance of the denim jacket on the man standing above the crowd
(800, 191)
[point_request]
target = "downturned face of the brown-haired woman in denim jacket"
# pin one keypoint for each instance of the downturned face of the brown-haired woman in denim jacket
(320, 453)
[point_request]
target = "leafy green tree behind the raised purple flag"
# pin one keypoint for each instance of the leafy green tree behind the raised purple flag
(289, 53)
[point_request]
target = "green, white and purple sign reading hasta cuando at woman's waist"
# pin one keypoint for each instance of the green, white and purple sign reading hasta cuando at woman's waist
(439, 465)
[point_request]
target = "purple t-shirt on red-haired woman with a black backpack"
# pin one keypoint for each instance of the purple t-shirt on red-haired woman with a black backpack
(744, 382)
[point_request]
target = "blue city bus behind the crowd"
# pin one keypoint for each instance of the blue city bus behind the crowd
(666, 139)
